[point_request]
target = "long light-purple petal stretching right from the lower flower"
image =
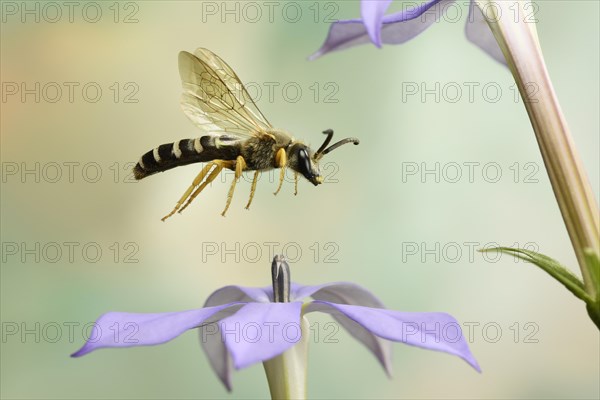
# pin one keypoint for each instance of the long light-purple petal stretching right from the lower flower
(434, 331)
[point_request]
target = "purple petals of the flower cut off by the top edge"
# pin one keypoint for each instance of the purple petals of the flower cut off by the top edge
(402, 26)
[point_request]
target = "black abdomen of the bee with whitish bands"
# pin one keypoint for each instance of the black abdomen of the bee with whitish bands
(186, 151)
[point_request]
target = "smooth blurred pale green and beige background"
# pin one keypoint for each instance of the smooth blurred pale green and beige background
(371, 223)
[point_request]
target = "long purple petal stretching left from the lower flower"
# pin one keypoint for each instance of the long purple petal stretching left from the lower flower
(118, 329)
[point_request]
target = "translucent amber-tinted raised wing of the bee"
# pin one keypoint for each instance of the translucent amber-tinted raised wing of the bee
(215, 99)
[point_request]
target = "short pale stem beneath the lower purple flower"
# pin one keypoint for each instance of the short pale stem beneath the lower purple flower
(286, 373)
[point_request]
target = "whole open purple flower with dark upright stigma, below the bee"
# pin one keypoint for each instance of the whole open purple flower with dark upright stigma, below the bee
(258, 324)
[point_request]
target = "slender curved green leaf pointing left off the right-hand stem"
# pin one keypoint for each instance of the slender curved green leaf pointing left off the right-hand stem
(551, 266)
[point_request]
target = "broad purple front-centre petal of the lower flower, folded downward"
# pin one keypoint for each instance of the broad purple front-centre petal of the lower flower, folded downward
(260, 331)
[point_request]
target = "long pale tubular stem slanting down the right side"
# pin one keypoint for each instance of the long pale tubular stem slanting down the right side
(519, 43)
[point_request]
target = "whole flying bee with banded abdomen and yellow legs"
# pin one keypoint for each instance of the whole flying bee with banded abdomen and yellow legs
(237, 136)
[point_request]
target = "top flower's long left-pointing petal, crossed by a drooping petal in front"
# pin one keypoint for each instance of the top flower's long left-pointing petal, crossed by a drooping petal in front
(397, 28)
